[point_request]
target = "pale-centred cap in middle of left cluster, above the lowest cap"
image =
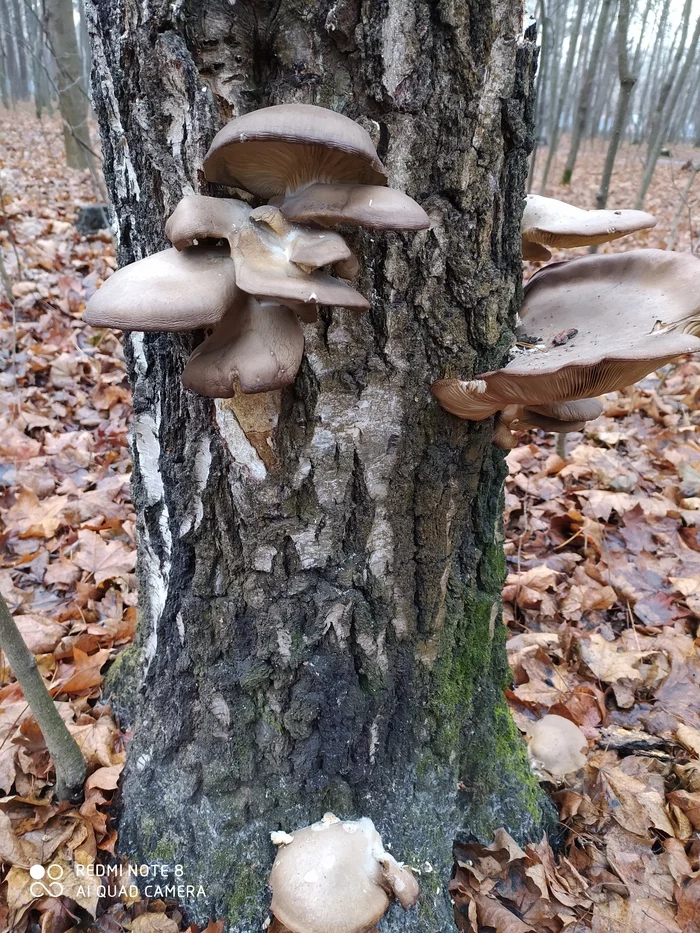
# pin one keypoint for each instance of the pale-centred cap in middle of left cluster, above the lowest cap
(263, 269)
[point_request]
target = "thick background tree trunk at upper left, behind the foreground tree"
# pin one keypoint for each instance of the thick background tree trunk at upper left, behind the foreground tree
(72, 97)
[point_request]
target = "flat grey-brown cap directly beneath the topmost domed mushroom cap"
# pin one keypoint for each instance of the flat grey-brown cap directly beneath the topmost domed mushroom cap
(366, 205)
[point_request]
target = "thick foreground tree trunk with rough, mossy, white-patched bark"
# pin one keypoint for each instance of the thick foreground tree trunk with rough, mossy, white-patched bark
(318, 629)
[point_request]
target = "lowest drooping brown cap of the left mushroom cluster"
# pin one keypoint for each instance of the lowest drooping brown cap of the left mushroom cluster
(255, 348)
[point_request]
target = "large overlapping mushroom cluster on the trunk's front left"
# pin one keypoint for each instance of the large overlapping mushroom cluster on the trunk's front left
(316, 168)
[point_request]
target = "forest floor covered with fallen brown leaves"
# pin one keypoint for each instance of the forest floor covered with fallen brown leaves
(602, 599)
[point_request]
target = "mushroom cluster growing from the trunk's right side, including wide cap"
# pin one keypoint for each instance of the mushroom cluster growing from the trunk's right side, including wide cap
(587, 326)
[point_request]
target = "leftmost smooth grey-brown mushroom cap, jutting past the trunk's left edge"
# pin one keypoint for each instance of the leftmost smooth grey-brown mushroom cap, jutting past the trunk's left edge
(169, 290)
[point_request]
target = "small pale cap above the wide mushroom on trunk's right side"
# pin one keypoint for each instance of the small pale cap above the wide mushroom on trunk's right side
(549, 222)
